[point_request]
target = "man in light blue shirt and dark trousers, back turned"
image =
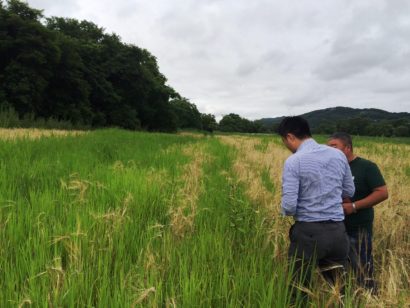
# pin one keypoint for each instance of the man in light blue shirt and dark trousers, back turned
(315, 178)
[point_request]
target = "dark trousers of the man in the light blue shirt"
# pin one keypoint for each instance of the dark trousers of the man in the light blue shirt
(323, 244)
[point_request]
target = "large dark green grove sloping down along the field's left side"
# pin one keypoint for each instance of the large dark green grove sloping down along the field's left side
(59, 70)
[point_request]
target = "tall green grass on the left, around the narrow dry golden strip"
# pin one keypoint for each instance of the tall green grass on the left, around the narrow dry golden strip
(84, 221)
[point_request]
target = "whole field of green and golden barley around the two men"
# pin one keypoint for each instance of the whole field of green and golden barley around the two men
(112, 218)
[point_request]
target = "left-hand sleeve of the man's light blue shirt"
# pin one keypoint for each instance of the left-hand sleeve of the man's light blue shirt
(290, 187)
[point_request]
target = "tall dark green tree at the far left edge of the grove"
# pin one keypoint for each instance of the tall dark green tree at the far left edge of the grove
(28, 53)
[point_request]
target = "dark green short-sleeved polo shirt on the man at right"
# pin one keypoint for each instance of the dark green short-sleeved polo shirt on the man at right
(366, 177)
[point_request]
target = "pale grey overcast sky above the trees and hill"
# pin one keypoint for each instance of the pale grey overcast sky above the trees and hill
(265, 58)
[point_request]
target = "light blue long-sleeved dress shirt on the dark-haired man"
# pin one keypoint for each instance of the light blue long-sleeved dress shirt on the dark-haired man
(314, 180)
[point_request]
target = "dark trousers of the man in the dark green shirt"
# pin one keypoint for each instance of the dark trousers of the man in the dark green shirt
(361, 259)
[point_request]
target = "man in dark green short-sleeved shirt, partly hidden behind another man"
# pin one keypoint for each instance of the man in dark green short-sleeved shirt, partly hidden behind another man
(370, 190)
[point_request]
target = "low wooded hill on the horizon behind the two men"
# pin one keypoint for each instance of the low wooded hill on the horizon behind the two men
(318, 117)
